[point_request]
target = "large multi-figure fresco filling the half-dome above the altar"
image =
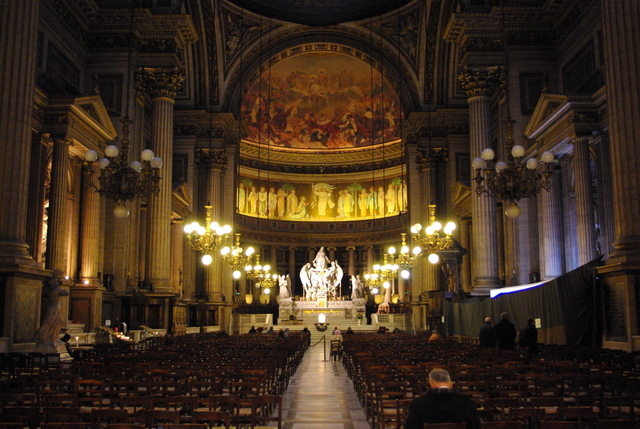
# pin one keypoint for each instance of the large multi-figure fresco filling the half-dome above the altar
(321, 101)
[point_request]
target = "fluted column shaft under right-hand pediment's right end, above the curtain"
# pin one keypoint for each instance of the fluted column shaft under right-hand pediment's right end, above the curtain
(584, 201)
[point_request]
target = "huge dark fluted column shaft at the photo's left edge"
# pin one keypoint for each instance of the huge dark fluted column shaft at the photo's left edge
(18, 44)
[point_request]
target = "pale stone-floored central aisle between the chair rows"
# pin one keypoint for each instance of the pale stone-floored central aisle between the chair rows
(321, 396)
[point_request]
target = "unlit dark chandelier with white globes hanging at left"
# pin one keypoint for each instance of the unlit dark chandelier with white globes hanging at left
(122, 180)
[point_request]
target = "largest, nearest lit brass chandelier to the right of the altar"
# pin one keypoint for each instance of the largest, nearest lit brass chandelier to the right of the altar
(436, 238)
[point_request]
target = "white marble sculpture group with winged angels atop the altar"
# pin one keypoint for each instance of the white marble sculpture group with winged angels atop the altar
(321, 278)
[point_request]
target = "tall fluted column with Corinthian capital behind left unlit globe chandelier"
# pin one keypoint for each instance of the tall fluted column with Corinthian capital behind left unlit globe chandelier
(161, 86)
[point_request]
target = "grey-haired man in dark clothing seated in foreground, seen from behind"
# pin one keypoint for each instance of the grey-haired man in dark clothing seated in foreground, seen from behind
(442, 405)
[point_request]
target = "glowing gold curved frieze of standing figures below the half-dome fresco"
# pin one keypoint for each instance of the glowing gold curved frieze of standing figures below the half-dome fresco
(321, 201)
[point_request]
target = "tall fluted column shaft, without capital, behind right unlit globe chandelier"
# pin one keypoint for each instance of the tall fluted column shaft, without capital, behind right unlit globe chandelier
(484, 233)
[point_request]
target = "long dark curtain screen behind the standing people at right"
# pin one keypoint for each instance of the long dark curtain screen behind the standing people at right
(566, 306)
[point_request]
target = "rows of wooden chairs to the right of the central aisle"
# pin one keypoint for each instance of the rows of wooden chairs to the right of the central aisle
(561, 387)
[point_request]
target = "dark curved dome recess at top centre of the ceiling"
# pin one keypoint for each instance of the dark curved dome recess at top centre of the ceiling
(320, 12)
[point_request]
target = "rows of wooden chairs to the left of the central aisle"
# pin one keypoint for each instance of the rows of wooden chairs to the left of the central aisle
(202, 379)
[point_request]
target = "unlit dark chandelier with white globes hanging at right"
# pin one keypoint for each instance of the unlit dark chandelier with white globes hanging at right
(513, 179)
